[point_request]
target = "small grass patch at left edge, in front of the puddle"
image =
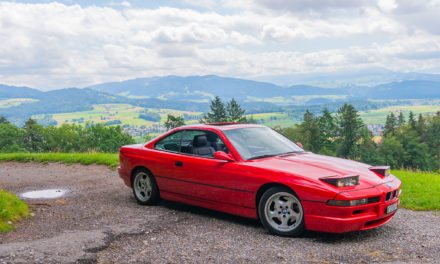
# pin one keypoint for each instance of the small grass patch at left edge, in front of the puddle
(12, 209)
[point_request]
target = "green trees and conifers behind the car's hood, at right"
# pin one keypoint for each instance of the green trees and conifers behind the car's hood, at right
(414, 143)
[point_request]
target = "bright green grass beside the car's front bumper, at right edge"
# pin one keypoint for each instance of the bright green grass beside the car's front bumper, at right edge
(420, 190)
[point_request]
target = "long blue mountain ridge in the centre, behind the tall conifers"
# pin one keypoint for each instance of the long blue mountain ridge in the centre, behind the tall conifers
(205, 87)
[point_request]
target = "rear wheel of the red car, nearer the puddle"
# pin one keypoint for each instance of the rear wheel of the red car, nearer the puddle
(145, 188)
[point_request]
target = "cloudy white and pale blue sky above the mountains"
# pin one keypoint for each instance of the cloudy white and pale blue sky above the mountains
(51, 45)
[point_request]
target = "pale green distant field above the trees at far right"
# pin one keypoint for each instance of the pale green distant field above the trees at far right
(379, 116)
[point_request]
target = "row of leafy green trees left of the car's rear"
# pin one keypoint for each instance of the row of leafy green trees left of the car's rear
(33, 137)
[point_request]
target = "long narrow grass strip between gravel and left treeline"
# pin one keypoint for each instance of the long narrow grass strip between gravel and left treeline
(111, 160)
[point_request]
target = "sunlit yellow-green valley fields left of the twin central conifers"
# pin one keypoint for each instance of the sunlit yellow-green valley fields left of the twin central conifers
(103, 113)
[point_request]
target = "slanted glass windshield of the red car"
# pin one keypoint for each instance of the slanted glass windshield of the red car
(260, 142)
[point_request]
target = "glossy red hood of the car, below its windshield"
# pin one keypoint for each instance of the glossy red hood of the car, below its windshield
(314, 166)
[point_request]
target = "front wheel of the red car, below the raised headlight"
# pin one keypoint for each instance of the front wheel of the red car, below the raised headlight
(281, 212)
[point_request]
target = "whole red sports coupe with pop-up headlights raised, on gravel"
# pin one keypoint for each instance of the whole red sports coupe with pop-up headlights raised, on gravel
(253, 171)
